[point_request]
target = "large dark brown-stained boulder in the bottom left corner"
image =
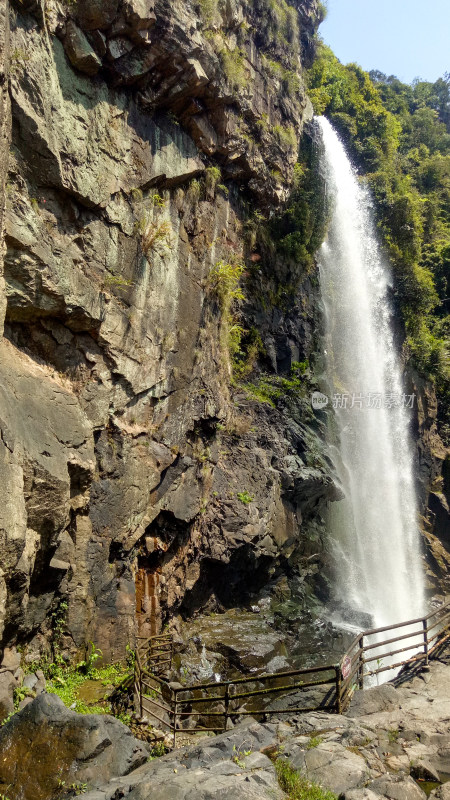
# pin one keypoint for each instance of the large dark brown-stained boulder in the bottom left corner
(47, 743)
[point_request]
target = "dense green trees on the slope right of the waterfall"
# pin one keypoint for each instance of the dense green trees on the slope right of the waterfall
(399, 138)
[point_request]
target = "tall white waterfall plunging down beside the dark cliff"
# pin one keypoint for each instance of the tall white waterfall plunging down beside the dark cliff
(374, 529)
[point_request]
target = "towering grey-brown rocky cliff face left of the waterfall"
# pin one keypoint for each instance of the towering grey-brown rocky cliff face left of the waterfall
(135, 483)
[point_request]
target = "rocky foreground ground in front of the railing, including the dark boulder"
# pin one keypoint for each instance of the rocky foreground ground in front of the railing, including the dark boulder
(393, 742)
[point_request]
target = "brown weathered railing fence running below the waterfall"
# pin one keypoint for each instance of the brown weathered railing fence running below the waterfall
(209, 706)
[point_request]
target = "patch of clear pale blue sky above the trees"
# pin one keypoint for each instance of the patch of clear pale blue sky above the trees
(406, 38)
